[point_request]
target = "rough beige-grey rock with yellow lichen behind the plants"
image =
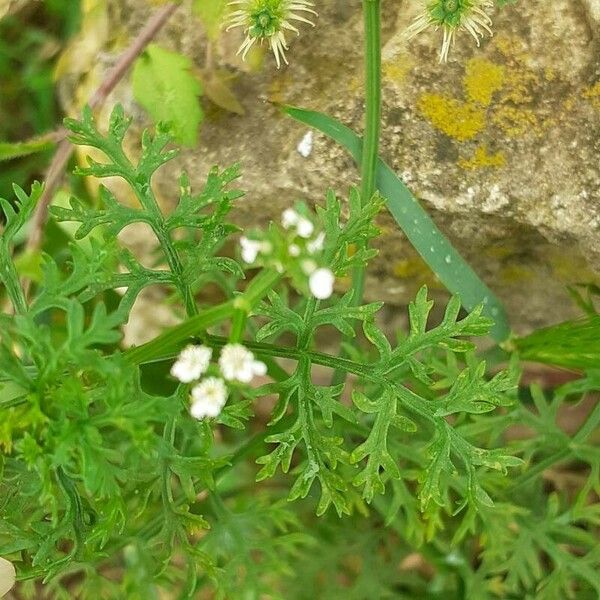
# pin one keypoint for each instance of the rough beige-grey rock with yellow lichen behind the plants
(501, 143)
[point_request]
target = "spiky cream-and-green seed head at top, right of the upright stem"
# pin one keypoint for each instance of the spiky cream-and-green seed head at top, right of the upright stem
(453, 16)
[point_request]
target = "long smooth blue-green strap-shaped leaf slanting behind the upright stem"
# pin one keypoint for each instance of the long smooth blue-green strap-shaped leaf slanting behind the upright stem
(453, 271)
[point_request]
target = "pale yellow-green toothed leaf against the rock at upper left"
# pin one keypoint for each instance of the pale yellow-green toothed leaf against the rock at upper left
(164, 85)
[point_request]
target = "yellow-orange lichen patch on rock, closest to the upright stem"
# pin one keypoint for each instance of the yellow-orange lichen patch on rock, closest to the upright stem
(459, 120)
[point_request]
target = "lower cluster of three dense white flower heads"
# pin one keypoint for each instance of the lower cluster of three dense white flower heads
(209, 396)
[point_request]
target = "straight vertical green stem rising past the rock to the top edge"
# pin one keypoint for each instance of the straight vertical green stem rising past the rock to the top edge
(370, 148)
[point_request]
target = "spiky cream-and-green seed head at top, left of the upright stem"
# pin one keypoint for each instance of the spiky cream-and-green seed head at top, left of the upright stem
(268, 20)
